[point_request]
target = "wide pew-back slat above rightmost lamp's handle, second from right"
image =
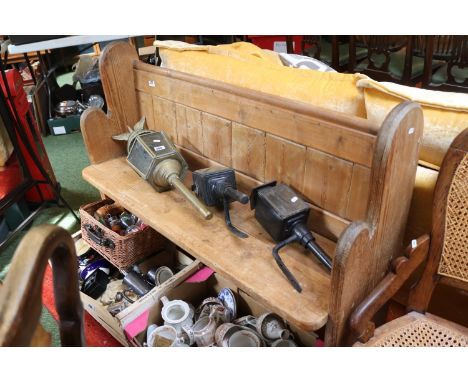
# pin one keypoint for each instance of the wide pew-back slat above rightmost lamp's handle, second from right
(327, 181)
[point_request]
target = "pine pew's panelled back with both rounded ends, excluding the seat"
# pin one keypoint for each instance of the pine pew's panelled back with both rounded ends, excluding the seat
(339, 163)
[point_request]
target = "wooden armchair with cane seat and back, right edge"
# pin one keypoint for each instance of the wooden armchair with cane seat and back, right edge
(447, 262)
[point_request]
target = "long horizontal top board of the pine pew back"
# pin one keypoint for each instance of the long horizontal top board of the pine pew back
(331, 136)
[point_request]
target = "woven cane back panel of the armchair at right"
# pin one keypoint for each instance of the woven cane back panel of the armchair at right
(454, 259)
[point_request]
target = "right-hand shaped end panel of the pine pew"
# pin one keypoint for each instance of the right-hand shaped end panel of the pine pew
(365, 249)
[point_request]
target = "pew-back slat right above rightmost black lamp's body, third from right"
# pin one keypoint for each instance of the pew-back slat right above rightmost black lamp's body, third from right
(285, 162)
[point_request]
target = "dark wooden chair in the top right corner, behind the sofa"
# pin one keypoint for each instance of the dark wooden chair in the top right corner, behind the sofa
(452, 52)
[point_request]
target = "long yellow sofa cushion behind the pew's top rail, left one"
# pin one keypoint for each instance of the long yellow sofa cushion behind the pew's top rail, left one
(246, 65)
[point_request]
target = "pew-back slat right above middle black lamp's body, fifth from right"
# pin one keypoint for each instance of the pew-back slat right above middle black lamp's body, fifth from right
(217, 138)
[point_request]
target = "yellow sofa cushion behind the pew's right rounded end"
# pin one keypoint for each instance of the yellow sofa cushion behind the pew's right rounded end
(445, 113)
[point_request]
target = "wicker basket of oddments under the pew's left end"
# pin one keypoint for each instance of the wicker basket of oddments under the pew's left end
(122, 251)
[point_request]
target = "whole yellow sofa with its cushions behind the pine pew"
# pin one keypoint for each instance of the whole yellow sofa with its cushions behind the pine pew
(246, 65)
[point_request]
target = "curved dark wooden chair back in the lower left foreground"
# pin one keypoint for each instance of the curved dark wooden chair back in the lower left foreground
(20, 295)
